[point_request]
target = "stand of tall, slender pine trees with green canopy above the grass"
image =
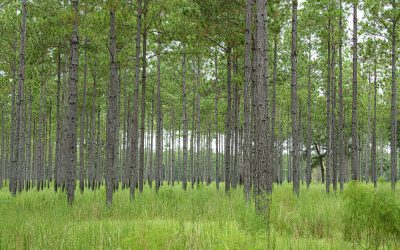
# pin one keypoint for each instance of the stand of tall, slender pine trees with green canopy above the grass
(197, 91)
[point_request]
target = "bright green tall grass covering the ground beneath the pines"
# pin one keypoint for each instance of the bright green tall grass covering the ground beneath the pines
(200, 218)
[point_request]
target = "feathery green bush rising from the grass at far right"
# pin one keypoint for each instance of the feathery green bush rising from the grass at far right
(371, 217)
